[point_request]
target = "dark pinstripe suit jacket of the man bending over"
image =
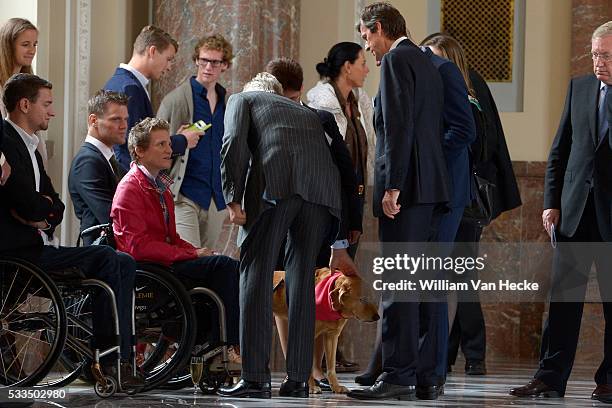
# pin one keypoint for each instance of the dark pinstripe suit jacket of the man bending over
(273, 149)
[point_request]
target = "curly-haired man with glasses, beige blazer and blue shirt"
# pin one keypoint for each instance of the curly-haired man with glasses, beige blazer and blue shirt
(200, 207)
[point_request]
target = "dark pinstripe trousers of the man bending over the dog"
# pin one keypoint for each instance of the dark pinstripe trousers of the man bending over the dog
(305, 225)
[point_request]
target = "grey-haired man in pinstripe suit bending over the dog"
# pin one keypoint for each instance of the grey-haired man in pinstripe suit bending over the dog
(279, 180)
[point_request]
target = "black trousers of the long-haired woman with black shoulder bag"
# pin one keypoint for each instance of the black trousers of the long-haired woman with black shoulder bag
(468, 328)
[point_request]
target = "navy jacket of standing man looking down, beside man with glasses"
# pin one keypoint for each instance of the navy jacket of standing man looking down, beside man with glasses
(139, 107)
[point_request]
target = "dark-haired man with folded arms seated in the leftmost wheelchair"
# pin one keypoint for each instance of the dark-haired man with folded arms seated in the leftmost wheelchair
(30, 210)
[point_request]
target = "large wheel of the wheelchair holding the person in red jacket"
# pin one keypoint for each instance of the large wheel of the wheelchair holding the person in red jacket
(165, 325)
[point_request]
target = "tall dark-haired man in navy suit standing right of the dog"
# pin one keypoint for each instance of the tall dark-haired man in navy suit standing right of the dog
(410, 192)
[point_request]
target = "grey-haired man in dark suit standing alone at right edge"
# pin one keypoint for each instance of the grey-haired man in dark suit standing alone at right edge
(577, 210)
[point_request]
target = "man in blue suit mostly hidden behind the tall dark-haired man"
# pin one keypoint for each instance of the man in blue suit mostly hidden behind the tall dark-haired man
(459, 134)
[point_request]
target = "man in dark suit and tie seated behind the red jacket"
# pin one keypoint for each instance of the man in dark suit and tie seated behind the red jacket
(95, 173)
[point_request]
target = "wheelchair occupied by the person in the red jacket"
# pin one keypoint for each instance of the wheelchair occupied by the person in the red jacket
(167, 334)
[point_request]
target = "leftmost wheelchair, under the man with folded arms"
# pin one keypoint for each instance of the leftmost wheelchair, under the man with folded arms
(36, 325)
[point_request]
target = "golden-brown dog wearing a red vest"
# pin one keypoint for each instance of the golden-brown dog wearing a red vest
(342, 294)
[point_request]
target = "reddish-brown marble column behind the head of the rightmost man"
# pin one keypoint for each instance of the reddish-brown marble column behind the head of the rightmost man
(587, 15)
